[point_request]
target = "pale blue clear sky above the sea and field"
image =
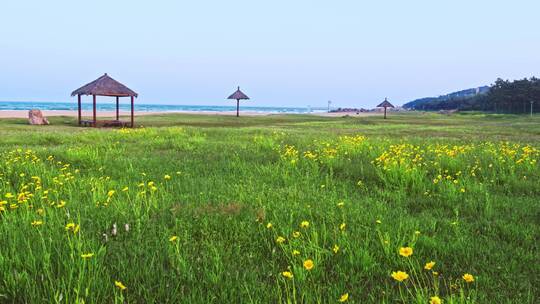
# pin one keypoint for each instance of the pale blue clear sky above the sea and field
(282, 53)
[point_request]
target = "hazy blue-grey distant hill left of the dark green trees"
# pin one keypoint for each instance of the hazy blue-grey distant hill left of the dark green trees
(450, 101)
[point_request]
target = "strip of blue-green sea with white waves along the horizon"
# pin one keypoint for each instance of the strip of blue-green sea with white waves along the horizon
(111, 106)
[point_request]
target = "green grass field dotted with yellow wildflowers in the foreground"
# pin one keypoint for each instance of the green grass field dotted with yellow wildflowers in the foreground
(295, 209)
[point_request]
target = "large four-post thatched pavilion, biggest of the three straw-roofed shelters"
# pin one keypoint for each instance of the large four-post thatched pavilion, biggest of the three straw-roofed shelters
(105, 86)
